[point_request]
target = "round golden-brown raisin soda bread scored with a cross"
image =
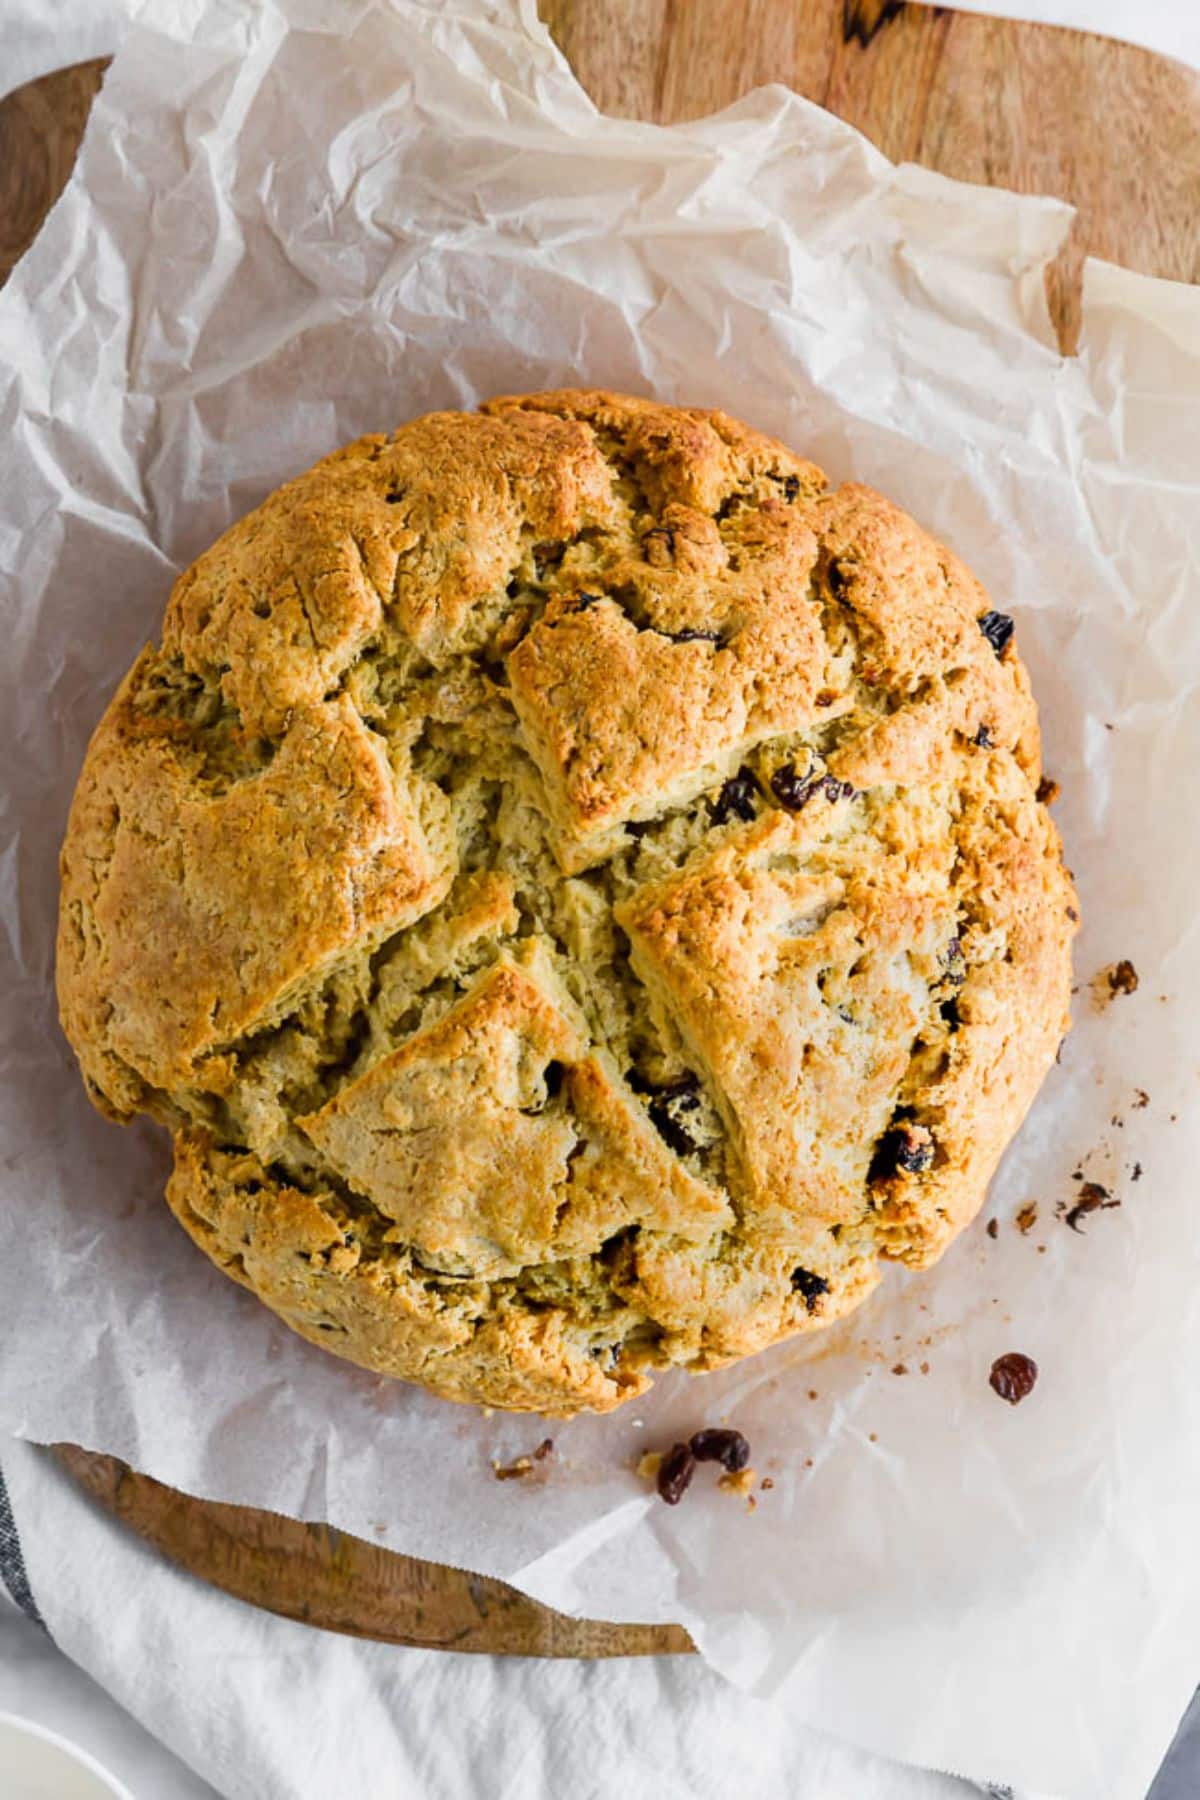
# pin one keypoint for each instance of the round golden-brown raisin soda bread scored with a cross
(578, 894)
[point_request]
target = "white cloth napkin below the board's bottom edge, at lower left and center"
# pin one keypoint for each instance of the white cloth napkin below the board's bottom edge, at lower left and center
(265, 1709)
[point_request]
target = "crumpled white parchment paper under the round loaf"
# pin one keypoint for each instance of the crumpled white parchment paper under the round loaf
(294, 224)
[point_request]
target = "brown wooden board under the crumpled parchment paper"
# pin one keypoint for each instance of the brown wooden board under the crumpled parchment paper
(1111, 129)
